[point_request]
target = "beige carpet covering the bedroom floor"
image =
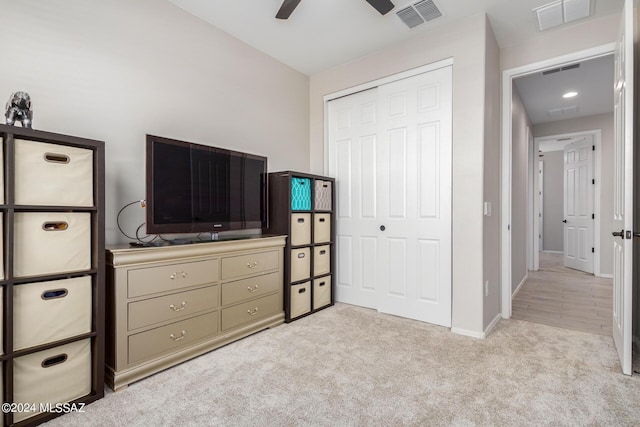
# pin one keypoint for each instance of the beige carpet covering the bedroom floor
(350, 366)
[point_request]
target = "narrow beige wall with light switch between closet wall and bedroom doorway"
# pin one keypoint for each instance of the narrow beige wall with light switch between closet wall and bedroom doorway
(491, 226)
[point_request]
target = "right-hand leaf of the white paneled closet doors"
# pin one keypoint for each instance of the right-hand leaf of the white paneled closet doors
(415, 202)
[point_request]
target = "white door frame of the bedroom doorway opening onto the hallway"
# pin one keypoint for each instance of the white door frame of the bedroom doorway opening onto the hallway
(506, 117)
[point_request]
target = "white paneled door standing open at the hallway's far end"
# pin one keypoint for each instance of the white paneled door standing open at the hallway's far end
(578, 204)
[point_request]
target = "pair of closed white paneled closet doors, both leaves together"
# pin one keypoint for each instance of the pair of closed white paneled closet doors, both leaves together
(390, 152)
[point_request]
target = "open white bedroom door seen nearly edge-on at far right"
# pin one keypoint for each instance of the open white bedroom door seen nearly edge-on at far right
(623, 190)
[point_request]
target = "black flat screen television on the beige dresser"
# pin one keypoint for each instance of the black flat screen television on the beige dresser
(194, 188)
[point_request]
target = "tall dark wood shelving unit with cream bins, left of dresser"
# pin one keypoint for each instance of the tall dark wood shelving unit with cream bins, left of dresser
(72, 362)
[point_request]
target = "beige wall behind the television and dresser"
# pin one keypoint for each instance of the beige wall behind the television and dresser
(119, 69)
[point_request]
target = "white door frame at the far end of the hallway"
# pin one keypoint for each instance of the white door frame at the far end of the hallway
(597, 175)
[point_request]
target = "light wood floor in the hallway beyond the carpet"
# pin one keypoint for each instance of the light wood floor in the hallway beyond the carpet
(570, 299)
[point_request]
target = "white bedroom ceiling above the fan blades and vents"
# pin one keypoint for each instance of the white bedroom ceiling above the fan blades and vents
(321, 34)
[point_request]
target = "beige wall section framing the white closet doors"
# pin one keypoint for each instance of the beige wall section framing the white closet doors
(465, 43)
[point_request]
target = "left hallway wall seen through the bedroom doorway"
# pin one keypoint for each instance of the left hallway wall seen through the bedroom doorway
(519, 161)
